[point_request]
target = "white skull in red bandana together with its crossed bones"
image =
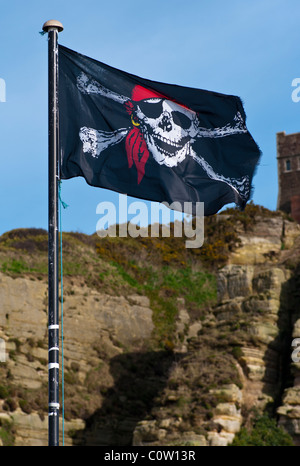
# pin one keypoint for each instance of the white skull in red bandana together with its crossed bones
(161, 127)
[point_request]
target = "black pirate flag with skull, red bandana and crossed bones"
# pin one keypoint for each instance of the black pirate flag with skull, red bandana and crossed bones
(151, 140)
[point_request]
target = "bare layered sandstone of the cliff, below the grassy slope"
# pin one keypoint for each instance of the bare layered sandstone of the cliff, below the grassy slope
(233, 359)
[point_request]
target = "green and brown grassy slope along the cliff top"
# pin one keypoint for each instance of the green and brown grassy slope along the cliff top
(161, 268)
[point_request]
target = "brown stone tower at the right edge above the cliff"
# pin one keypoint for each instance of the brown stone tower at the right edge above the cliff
(288, 162)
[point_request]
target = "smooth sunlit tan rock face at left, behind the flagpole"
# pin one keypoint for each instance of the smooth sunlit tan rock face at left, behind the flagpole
(91, 321)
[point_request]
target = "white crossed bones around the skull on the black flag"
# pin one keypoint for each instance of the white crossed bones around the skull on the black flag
(96, 141)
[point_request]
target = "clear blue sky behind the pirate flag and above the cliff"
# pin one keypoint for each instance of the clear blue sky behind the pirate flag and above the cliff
(249, 49)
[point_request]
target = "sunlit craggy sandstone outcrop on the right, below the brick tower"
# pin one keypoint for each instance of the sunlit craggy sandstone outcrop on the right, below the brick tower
(258, 298)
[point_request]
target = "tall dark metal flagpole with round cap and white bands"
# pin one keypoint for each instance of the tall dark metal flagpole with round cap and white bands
(52, 27)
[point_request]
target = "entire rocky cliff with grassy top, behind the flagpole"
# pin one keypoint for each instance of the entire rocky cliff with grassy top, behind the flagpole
(162, 345)
